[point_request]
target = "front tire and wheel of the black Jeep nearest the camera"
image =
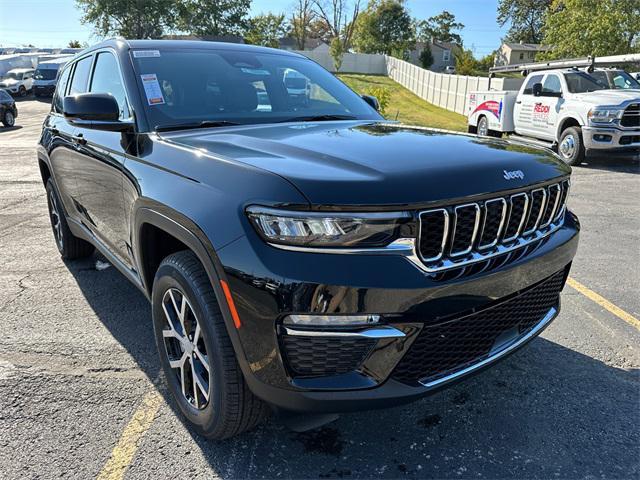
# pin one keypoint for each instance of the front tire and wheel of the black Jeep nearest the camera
(229, 407)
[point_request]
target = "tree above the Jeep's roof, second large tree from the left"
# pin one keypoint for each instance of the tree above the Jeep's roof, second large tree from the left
(213, 17)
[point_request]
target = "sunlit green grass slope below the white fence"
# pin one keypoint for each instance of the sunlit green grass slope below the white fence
(411, 109)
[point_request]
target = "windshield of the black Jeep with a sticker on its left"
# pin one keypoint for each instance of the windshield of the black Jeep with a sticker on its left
(190, 86)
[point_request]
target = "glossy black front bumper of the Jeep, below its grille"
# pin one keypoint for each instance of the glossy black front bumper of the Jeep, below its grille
(267, 284)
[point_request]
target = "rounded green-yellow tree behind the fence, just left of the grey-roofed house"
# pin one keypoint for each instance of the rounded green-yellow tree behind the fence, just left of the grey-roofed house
(384, 27)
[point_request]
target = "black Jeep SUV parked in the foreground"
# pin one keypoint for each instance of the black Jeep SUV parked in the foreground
(300, 253)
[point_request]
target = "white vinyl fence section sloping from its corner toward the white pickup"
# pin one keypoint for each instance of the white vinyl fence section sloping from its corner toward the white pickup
(446, 91)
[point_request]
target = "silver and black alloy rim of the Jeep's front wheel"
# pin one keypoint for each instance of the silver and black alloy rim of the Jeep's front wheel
(185, 347)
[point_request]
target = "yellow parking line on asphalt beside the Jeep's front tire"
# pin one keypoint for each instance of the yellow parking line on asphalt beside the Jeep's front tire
(124, 451)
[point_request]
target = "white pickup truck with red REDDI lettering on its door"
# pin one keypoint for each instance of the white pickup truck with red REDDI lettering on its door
(567, 109)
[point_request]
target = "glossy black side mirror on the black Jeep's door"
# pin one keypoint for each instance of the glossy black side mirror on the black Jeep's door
(99, 111)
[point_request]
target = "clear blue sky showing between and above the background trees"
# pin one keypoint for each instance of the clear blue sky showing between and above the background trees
(52, 23)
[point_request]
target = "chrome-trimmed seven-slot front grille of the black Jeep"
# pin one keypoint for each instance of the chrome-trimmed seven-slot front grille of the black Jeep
(471, 232)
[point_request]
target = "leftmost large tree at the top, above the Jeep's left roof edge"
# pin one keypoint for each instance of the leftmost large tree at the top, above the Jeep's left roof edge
(128, 18)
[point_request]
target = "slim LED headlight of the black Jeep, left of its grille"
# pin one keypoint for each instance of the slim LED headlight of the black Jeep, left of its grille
(328, 229)
